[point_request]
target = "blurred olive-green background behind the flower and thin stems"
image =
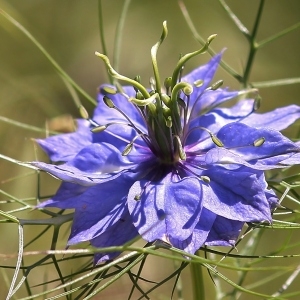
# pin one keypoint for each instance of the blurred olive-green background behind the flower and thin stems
(32, 92)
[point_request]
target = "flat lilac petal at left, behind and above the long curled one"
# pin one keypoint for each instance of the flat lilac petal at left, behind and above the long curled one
(64, 147)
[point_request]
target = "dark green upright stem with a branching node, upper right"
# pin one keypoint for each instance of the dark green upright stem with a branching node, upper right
(253, 44)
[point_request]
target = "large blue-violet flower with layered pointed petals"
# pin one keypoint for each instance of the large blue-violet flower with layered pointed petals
(169, 164)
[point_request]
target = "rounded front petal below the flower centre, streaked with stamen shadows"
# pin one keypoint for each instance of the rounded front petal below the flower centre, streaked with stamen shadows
(168, 209)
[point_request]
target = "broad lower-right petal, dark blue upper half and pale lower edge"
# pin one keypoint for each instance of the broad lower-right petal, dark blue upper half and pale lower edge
(236, 195)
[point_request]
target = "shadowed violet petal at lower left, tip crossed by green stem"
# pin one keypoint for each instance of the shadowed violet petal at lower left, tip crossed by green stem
(118, 234)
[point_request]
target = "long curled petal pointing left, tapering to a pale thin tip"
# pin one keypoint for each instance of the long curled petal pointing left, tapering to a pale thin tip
(90, 166)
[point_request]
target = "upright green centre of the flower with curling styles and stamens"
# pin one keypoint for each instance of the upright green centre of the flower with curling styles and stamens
(163, 110)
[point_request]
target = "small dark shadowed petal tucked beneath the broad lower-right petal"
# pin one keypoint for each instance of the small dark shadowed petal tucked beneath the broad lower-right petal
(224, 232)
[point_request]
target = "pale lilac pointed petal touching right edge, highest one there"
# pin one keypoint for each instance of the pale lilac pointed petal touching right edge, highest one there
(277, 119)
